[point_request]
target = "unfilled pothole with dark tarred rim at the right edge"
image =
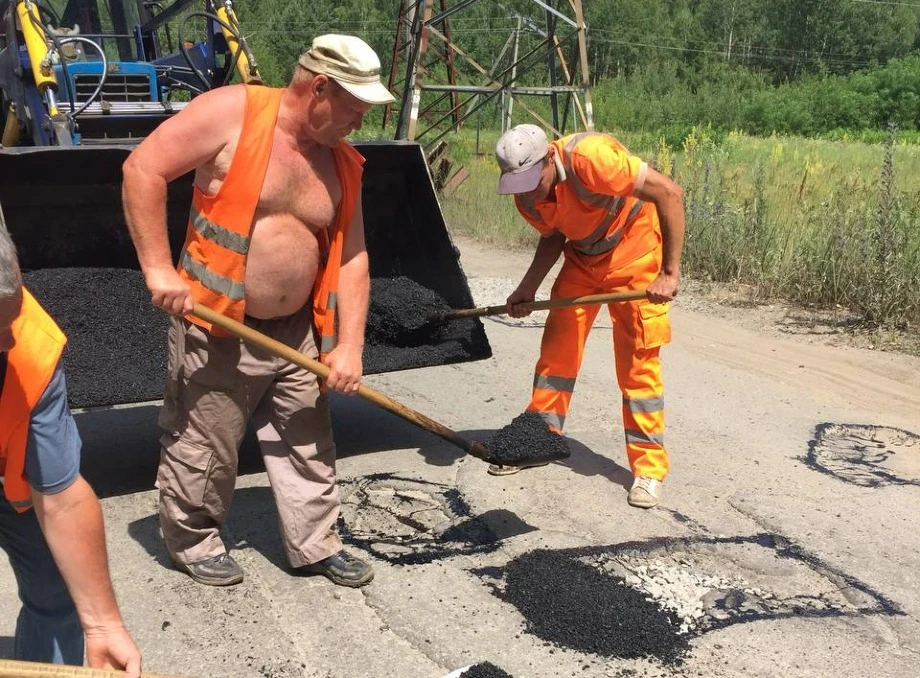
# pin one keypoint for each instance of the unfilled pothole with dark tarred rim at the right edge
(866, 455)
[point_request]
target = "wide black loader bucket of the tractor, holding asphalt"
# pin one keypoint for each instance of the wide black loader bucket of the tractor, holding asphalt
(63, 210)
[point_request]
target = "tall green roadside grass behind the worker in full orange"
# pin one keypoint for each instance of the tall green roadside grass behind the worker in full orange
(820, 223)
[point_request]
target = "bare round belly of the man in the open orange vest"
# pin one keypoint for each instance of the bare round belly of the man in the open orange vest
(280, 267)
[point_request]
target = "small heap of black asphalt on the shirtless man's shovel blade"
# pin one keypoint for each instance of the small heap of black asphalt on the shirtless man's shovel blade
(526, 440)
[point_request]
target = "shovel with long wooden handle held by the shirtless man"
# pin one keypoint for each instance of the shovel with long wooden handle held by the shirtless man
(256, 338)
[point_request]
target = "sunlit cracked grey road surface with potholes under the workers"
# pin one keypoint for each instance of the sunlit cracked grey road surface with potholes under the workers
(787, 522)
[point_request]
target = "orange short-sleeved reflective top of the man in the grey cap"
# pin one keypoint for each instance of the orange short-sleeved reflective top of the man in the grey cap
(594, 207)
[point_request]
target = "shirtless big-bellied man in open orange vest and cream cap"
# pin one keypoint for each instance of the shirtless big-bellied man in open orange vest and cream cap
(276, 240)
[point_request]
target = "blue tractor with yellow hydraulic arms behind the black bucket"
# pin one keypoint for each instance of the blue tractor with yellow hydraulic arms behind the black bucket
(90, 72)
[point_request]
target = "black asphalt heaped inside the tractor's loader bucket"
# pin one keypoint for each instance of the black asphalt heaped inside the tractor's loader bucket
(118, 339)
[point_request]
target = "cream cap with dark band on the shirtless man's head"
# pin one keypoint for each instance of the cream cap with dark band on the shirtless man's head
(350, 62)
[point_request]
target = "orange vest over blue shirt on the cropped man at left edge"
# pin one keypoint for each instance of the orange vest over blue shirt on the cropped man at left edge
(29, 368)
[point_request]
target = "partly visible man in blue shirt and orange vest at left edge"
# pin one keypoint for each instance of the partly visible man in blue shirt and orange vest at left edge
(51, 524)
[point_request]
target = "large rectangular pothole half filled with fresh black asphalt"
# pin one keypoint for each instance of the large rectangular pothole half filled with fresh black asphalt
(650, 599)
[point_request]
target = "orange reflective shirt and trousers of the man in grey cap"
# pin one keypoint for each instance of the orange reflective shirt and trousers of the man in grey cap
(610, 236)
